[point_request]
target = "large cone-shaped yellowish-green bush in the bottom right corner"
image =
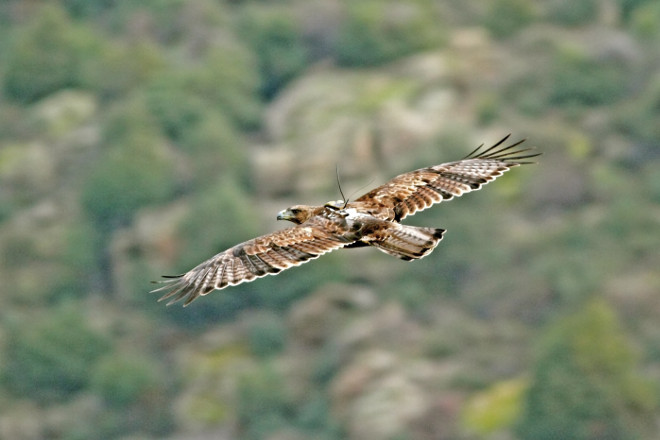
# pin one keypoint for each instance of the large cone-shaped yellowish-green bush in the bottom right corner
(584, 384)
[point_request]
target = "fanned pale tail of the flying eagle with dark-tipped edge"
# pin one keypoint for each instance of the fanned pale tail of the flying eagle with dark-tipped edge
(409, 242)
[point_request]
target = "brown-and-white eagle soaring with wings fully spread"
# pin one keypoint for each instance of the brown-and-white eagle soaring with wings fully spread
(373, 219)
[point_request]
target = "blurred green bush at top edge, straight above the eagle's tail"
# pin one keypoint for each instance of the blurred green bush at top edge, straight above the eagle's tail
(375, 32)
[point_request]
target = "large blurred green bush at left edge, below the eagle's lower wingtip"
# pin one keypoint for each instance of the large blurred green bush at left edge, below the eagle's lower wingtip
(52, 358)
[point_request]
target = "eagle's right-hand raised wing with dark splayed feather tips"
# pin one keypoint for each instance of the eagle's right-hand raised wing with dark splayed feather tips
(417, 190)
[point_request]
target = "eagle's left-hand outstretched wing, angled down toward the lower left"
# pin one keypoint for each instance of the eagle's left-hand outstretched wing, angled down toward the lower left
(265, 255)
